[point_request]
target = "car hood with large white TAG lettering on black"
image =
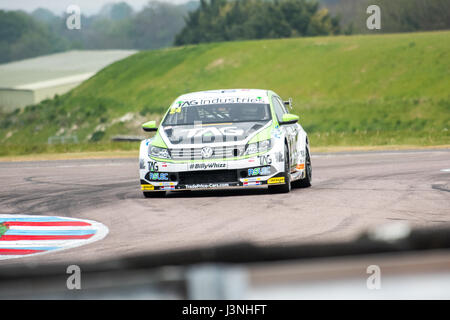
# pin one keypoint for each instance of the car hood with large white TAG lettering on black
(212, 133)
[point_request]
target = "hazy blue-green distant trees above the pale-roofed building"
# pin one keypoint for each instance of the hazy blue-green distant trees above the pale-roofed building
(116, 26)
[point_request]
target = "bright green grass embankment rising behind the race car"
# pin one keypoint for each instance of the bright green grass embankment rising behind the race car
(373, 90)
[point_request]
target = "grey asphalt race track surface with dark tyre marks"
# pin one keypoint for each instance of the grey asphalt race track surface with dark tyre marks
(351, 192)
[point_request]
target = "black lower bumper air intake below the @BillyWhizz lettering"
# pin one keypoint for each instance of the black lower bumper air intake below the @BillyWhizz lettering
(210, 176)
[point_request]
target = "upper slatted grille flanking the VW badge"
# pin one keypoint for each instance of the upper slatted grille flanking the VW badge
(196, 153)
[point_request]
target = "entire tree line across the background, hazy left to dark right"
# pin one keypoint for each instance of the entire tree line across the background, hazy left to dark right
(162, 24)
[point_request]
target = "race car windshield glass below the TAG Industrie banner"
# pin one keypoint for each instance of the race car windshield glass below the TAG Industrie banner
(218, 113)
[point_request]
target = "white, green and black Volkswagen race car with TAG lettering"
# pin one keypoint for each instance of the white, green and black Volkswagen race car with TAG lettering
(225, 139)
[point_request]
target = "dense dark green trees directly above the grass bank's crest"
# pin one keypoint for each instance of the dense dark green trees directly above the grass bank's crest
(222, 20)
